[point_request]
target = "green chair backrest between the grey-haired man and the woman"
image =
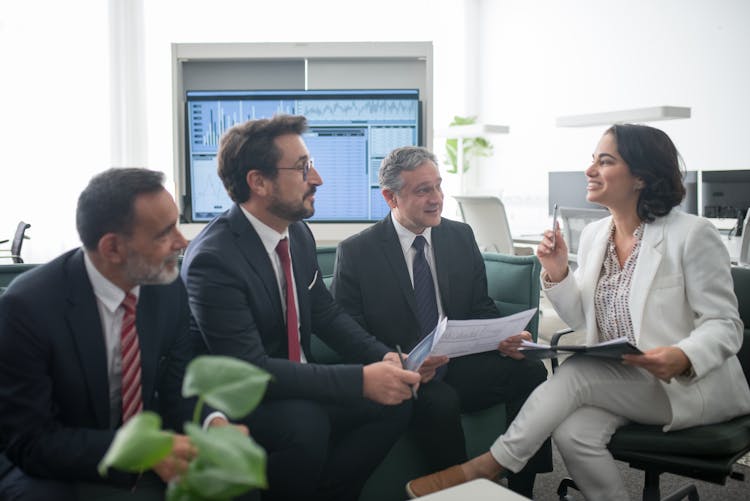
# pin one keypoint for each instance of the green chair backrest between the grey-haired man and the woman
(513, 283)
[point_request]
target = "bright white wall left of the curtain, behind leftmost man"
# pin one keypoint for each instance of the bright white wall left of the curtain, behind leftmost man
(54, 127)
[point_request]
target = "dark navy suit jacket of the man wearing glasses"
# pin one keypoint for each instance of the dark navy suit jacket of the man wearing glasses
(236, 306)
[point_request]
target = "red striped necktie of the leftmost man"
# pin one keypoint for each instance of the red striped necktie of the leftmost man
(132, 402)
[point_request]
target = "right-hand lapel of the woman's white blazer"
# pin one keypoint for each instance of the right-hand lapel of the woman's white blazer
(649, 258)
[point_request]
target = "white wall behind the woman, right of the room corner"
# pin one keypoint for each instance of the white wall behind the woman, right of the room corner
(547, 58)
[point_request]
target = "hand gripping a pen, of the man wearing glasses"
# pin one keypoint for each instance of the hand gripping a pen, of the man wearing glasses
(387, 384)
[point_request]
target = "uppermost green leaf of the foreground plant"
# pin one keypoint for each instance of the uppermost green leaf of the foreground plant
(227, 384)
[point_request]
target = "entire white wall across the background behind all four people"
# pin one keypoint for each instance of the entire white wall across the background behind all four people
(534, 61)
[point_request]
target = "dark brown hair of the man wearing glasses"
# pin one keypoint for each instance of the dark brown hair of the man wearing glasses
(249, 146)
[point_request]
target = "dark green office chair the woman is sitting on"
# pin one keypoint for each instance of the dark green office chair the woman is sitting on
(707, 453)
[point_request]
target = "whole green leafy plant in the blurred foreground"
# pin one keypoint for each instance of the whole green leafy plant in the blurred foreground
(228, 463)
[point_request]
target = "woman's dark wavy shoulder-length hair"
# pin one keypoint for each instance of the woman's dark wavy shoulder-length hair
(653, 157)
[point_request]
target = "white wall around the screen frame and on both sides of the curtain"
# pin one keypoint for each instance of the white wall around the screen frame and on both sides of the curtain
(54, 133)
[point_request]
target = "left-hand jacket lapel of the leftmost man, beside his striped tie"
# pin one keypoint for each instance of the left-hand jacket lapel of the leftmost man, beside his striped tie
(86, 329)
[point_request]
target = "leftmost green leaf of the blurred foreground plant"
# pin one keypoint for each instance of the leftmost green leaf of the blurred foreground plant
(138, 445)
